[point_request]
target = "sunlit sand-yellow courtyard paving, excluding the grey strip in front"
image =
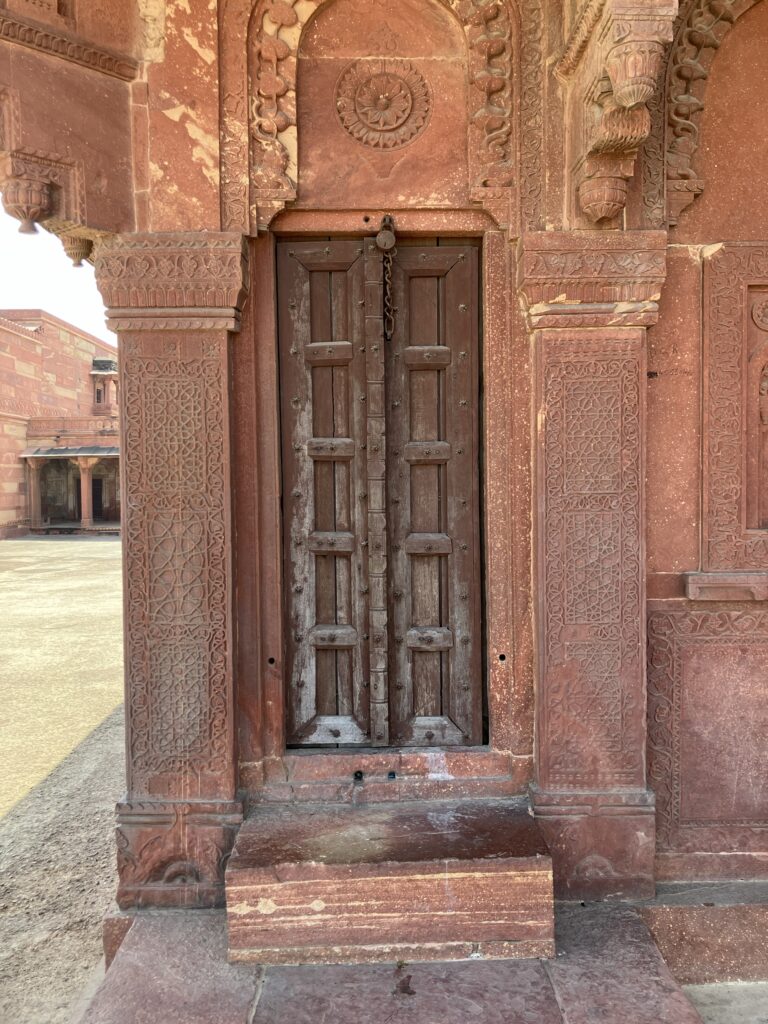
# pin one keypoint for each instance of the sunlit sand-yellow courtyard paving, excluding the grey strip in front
(61, 653)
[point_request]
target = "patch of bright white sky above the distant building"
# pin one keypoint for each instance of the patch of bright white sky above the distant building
(36, 274)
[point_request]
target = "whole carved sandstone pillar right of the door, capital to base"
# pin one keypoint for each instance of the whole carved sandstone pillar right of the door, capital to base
(589, 298)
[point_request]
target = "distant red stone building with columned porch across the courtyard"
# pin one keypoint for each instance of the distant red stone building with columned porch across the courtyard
(60, 436)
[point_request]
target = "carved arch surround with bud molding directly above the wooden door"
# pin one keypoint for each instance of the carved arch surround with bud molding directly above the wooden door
(260, 44)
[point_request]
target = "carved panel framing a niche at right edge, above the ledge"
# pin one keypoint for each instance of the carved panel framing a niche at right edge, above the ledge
(736, 284)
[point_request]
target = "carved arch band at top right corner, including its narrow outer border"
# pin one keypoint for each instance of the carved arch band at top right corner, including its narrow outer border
(672, 183)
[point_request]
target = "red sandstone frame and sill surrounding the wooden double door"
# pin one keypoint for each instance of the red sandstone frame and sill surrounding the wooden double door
(504, 764)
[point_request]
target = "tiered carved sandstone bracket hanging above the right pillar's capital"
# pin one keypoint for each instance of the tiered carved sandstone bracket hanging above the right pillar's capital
(611, 69)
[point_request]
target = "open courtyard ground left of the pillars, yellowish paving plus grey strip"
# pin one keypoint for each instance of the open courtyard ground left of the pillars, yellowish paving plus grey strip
(62, 765)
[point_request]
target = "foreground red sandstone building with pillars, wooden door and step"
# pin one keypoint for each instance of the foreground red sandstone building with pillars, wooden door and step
(444, 345)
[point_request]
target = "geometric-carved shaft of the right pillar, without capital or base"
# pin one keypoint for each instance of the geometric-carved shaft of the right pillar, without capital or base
(590, 528)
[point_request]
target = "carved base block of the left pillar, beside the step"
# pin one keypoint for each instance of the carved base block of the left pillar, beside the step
(175, 855)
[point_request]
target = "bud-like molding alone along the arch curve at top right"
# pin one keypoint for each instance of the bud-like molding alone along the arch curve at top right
(702, 29)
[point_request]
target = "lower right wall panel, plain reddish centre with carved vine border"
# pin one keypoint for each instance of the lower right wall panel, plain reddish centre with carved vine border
(707, 730)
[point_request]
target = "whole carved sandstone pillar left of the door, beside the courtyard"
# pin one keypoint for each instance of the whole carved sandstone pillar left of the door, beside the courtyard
(175, 300)
